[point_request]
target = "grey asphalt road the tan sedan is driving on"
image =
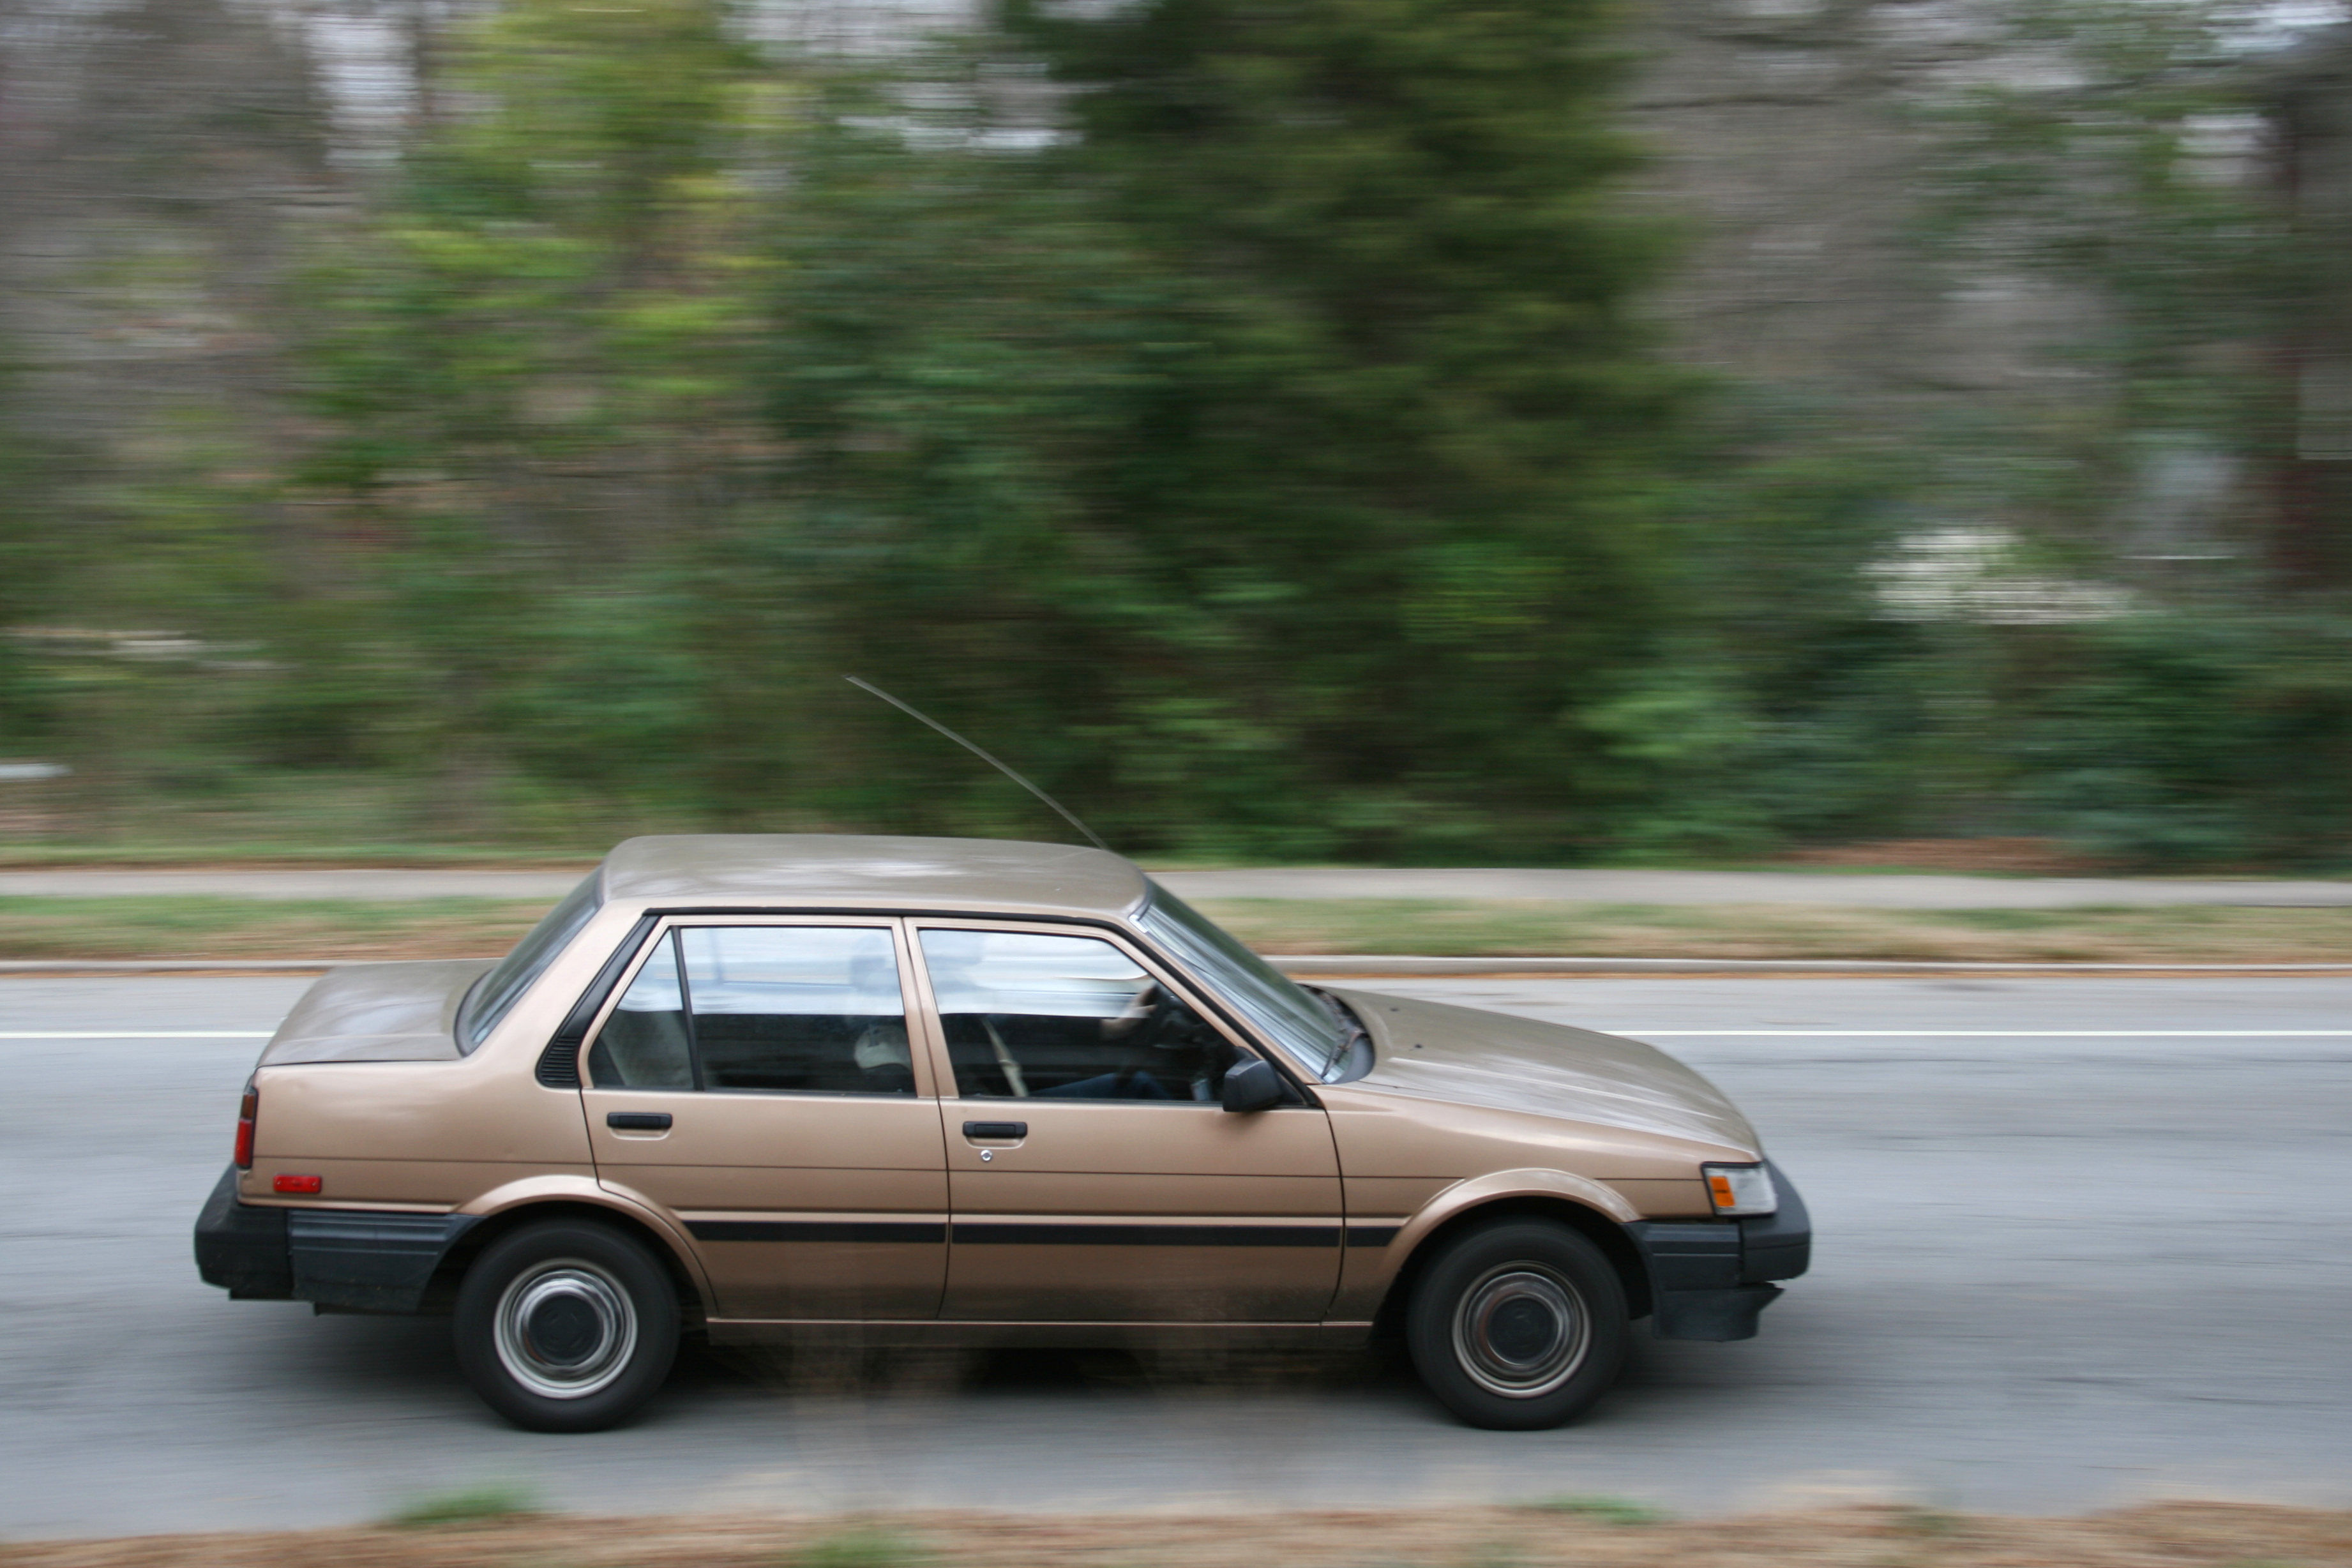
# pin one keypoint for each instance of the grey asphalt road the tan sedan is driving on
(2080, 1242)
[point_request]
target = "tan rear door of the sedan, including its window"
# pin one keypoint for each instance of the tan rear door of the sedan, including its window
(756, 1080)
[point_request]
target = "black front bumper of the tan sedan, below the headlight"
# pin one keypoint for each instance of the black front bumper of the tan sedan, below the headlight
(1711, 1280)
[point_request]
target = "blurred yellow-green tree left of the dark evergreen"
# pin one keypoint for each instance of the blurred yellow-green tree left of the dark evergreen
(528, 361)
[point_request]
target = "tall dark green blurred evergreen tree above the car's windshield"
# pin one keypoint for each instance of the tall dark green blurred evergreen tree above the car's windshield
(1417, 445)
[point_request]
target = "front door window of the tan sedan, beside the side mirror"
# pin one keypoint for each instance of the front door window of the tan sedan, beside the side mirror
(1067, 1019)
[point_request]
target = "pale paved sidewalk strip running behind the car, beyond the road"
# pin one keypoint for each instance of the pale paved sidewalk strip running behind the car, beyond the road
(1829, 890)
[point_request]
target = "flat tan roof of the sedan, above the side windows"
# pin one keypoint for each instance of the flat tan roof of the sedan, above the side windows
(824, 871)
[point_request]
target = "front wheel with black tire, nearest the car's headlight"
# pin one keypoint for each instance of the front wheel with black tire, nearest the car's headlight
(1518, 1325)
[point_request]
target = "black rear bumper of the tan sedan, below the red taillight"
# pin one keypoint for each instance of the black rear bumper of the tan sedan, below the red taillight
(347, 1259)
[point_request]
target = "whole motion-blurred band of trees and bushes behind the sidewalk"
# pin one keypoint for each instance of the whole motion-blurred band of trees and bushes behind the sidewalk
(1422, 431)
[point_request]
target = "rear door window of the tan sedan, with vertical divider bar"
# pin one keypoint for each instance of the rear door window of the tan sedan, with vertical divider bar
(761, 1010)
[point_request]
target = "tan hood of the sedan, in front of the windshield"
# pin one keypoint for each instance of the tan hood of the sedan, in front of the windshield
(1462, 1054)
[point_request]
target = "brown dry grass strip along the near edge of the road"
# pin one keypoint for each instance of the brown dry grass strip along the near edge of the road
(2151, 1536)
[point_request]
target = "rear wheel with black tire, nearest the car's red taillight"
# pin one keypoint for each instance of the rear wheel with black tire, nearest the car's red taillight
(566, 1327)
